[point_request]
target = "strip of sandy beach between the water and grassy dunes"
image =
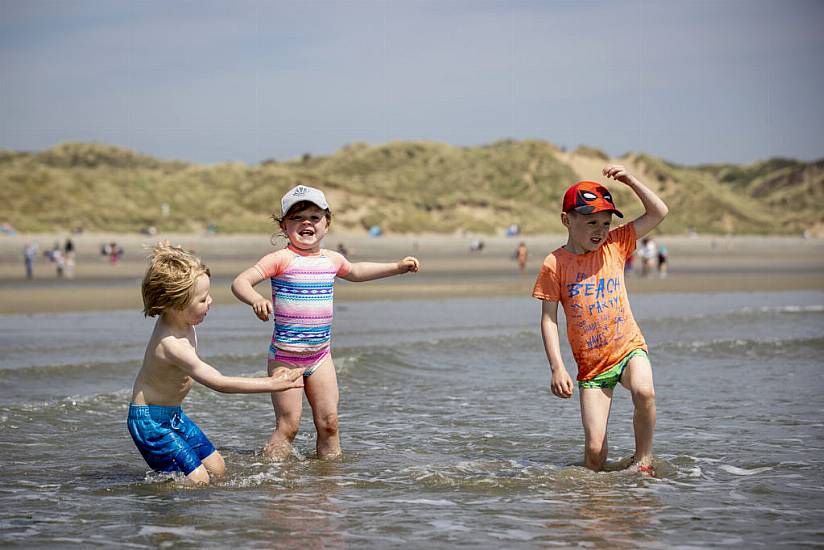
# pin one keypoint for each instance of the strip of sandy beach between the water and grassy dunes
(449, 269)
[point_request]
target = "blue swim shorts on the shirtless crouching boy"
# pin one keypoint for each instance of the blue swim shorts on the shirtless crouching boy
(168, 440)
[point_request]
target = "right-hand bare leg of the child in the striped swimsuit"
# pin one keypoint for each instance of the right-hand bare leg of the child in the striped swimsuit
(322, 392)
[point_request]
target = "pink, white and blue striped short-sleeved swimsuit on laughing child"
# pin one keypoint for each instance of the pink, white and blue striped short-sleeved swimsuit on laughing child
(302, 292)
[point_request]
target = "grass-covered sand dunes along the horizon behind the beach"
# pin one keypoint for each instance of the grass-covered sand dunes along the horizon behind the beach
(402, 186)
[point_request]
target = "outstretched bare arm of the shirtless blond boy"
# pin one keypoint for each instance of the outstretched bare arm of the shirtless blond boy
(184, 357)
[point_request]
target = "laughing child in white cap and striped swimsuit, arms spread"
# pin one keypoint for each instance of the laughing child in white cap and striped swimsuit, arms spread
(302, 277)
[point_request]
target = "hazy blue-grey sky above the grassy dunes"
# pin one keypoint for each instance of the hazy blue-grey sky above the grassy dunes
(693, 81)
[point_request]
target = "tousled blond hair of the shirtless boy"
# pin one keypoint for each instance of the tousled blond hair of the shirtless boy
(170, 279)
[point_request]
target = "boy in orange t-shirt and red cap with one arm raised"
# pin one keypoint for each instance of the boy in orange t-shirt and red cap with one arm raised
(586, 276)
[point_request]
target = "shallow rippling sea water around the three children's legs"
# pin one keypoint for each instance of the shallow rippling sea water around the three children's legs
(450, 434)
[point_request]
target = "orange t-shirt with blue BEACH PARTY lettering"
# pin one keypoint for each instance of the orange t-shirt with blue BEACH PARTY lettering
(600, 325)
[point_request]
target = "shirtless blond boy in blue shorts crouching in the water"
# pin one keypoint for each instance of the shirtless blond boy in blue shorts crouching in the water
(176, 288)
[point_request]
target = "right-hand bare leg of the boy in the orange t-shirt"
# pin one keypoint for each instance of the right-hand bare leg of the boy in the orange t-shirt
(637, 378)
